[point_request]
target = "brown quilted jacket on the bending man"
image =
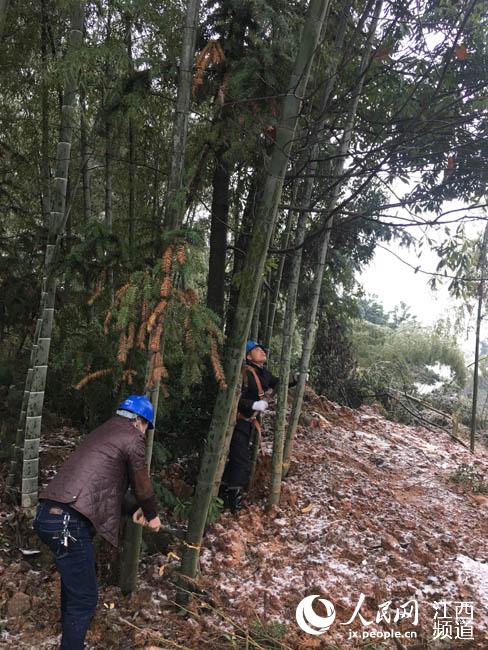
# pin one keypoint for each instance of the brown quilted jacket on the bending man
(95, 477)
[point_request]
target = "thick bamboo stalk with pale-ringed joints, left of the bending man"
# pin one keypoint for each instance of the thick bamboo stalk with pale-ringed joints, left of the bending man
(30, 469)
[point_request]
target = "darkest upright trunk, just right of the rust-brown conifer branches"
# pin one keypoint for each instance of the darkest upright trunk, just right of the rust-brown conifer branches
(218, 234)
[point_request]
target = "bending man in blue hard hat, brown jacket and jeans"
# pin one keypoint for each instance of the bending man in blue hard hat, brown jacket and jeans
(86, 496)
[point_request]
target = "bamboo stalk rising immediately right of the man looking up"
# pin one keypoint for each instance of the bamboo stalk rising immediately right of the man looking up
(290, 309)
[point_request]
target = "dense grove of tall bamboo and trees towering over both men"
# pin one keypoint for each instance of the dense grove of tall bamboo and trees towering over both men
(178, 177)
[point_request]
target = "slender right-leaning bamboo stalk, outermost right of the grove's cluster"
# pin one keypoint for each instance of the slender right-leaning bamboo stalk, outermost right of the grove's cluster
(309, 337)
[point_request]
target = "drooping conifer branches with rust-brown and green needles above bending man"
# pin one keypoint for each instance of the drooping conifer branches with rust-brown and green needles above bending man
(157, 312)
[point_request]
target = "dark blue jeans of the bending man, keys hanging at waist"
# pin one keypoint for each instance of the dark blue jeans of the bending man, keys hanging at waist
(76, 565)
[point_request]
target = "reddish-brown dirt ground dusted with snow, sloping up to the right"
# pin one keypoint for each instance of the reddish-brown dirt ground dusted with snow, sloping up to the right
(369, 507)
